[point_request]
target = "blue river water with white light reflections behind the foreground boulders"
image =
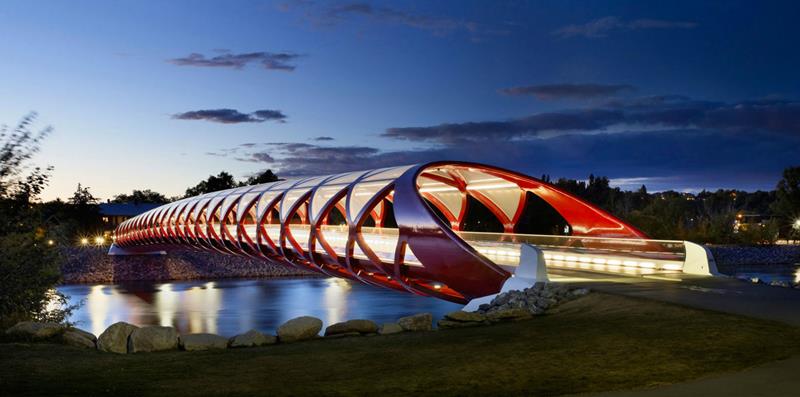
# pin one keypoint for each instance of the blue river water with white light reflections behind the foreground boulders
(228, 307)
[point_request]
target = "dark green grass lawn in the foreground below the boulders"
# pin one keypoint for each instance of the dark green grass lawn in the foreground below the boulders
(596, 343)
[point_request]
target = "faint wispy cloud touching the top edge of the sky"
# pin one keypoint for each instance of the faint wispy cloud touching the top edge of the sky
(326, 14)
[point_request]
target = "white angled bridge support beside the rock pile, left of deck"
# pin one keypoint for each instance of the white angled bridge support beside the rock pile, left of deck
(532, 269)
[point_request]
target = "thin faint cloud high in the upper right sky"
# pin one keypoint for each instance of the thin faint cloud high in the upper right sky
(602, 27)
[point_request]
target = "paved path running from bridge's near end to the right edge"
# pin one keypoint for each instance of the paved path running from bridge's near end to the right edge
(713, 293)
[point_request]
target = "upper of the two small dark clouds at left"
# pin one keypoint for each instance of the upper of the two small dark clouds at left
(268, 60)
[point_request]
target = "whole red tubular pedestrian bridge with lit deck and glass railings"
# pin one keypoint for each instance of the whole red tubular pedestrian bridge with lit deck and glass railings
(452, 230)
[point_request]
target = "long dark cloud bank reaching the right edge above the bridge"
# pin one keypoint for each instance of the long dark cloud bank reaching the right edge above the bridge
(649, 114)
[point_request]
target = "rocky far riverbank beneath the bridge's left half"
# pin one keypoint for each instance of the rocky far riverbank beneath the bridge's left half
(84, 265)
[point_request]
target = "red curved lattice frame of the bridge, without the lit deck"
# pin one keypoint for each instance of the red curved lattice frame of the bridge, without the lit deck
(449, 268)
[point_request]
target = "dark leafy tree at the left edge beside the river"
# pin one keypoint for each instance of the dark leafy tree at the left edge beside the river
(29, 266)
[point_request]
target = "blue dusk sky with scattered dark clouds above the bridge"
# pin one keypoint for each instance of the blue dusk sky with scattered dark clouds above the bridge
(681, 95)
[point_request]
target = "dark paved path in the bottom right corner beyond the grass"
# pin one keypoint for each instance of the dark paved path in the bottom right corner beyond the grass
(775, 379)
